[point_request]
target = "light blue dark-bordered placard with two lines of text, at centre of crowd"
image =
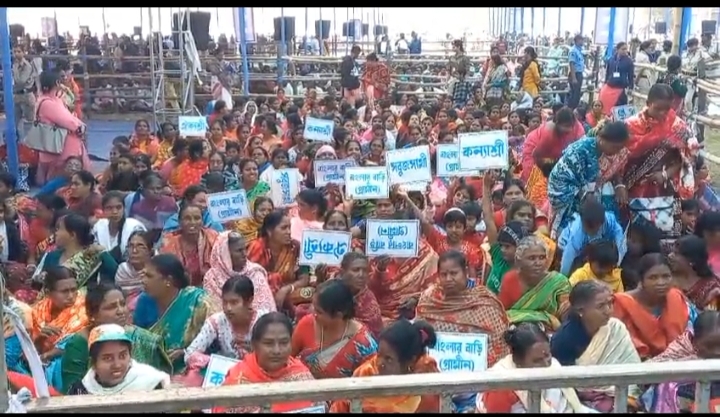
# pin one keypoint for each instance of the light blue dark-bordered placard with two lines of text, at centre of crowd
(394, 238)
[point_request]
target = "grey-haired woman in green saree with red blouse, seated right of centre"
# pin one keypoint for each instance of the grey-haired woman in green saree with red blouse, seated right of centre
(531, 293)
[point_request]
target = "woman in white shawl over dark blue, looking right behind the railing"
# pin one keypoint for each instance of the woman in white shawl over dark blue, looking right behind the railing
(591, 336)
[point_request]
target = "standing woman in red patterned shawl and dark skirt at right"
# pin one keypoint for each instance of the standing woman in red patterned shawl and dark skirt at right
(659, 165)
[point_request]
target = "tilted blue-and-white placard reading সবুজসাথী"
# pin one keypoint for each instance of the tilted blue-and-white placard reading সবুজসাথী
(408, 165)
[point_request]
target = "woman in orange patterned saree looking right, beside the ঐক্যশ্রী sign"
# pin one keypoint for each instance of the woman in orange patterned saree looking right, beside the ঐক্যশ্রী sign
(278, 253)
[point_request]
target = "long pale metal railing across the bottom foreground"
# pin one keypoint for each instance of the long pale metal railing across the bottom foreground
(703, 372)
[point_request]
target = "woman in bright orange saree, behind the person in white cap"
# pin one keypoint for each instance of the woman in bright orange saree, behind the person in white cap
(61, 313)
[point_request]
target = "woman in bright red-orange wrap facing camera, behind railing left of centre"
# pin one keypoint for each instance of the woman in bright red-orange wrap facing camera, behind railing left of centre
(271, 360)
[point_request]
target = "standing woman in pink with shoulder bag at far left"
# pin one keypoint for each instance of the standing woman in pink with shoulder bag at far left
(51, 110)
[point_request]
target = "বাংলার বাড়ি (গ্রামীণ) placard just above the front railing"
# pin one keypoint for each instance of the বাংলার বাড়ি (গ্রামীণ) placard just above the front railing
(460, 352)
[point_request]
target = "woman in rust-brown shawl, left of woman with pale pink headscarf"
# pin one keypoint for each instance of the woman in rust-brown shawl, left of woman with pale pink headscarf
(192, 244)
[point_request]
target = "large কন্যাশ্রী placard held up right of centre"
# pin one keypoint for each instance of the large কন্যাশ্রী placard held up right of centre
(483, 150)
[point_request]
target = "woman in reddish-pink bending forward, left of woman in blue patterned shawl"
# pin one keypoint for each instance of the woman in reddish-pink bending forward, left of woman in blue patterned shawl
(543, 147)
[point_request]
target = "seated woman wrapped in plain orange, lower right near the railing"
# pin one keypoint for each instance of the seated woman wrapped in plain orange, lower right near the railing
(655, 313)
